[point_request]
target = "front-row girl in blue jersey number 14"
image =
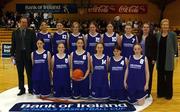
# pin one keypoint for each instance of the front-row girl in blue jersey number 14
(99, 78)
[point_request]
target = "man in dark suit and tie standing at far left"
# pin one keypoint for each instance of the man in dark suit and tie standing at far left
(23, 43)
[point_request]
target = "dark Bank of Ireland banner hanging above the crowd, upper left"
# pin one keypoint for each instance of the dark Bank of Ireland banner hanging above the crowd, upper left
(48, 8)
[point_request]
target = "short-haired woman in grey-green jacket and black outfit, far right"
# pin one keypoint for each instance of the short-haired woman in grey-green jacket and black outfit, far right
(167, 48)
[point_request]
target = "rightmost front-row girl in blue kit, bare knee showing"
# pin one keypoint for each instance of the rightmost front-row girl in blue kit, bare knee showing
(137, 76)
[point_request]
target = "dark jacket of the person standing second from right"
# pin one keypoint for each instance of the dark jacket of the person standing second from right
(150, 46)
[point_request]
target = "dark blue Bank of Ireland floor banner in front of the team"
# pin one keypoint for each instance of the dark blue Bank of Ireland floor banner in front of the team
(73, 107)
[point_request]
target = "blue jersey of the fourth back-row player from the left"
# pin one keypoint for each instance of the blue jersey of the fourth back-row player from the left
(92, 41)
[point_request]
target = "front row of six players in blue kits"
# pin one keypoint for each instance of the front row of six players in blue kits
(127, 81)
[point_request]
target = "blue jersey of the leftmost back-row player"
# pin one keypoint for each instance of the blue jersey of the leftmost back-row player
(47, 40)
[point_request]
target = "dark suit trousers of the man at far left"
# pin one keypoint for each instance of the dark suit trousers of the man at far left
(21, 64)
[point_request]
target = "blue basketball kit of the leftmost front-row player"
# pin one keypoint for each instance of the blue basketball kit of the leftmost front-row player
(40, 74)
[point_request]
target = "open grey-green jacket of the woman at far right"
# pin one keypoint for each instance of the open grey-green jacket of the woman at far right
(171, 49)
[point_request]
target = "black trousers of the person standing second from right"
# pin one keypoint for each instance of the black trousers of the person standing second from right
(151, 67)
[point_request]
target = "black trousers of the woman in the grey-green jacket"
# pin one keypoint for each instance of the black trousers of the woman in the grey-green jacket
(165, 84)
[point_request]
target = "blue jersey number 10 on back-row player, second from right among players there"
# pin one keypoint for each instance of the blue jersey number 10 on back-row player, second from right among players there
(109, 43)
